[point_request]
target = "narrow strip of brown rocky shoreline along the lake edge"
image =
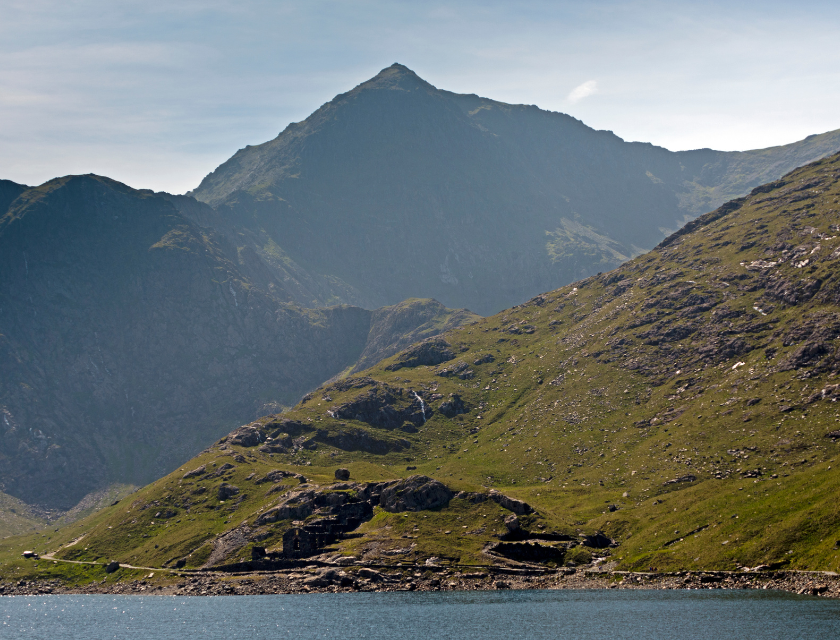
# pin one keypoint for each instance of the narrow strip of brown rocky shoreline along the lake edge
(364, 579)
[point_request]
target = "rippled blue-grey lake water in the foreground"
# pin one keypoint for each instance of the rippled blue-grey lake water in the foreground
(614, 615)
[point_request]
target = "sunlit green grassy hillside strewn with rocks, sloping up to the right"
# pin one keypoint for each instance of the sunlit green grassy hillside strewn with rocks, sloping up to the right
(679, 412)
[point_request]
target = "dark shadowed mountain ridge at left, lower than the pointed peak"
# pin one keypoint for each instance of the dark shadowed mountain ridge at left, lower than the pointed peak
(131, 337)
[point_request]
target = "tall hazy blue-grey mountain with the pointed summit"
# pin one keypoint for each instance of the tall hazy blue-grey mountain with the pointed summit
(399, 189)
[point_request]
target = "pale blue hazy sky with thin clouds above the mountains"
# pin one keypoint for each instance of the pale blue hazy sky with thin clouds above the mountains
(158, 93)
